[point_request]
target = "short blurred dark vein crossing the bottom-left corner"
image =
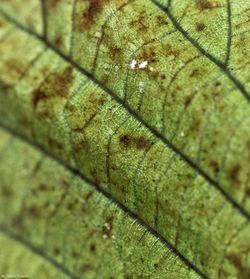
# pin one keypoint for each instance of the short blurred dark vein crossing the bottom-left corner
(14, 236)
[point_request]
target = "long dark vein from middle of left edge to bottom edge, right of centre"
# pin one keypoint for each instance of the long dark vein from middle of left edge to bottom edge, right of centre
(110, 197)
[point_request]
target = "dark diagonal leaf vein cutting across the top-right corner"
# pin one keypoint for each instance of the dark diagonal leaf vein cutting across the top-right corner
(217, 62)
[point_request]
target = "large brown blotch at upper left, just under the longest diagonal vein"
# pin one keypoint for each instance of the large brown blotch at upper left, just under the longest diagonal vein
(53, 86)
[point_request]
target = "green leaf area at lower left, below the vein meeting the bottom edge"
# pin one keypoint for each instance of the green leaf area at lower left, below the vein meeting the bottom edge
(55, 214)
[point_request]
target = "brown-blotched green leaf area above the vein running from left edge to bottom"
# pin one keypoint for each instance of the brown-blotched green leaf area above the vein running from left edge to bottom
(149, 100)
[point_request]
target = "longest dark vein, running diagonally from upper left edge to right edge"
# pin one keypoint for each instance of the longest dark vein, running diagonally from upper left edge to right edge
(134, 114)
